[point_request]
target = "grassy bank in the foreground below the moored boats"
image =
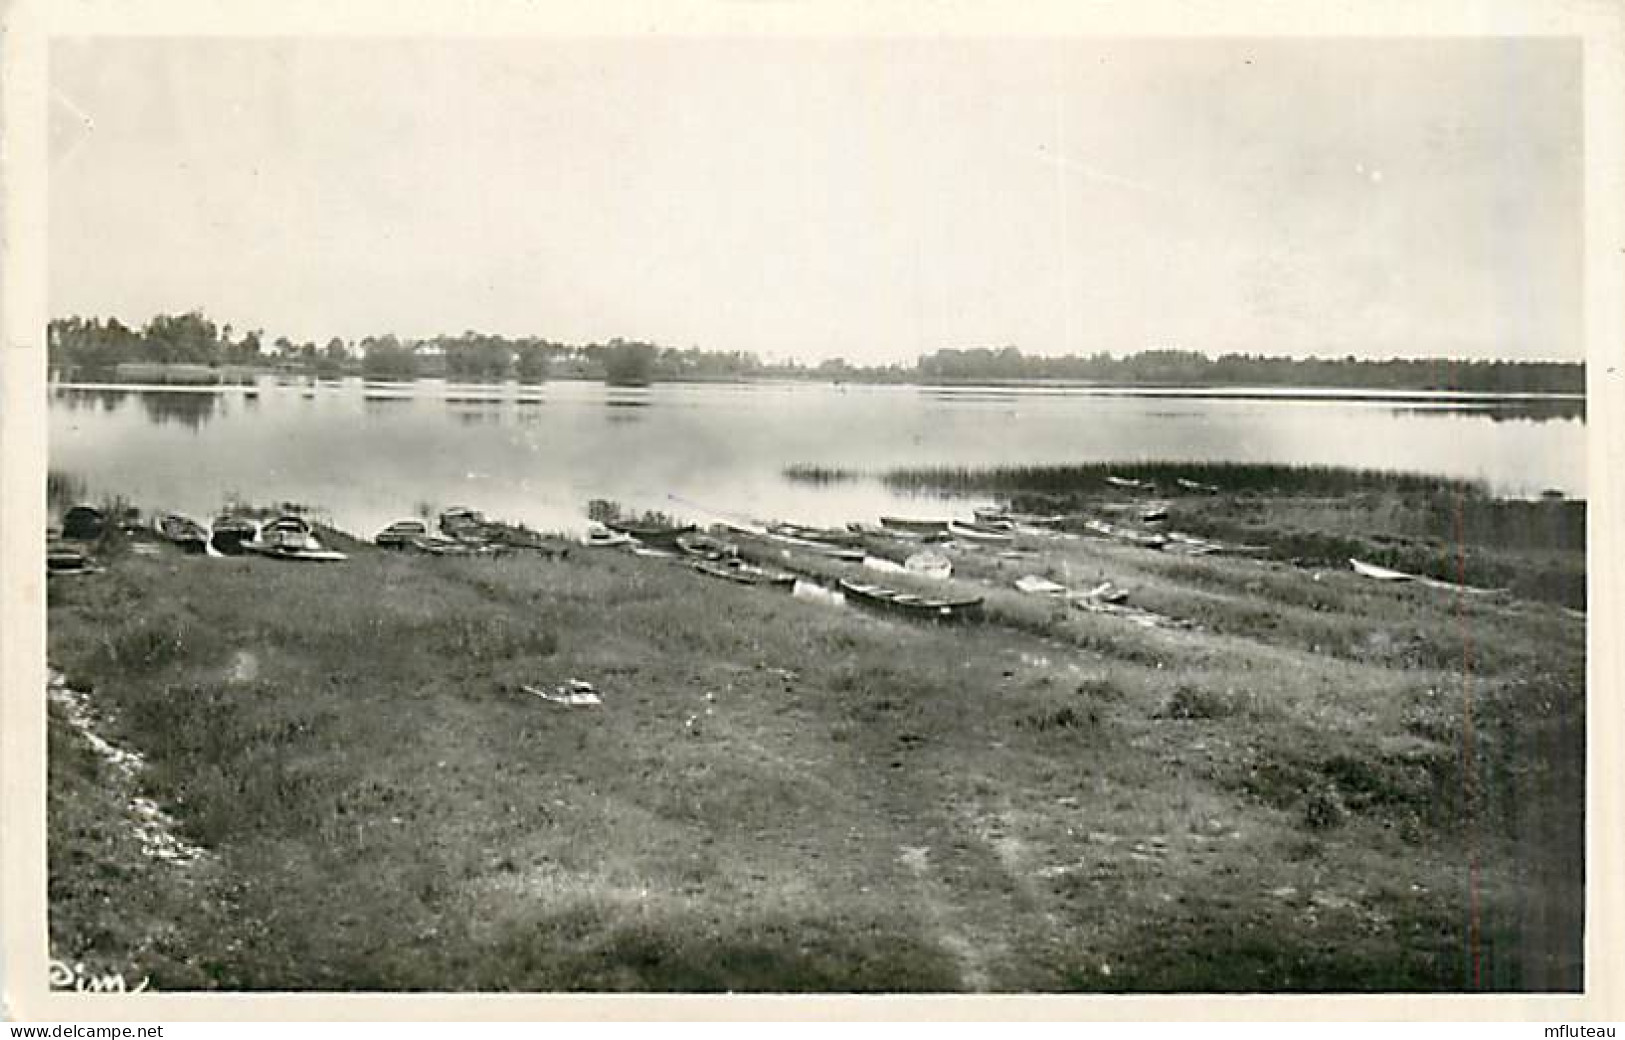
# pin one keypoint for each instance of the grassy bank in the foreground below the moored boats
(786, 795)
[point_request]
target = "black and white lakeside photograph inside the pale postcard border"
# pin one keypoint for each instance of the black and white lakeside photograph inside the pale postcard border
(815, 514)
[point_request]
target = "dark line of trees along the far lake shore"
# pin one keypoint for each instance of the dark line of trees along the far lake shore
(95, 349)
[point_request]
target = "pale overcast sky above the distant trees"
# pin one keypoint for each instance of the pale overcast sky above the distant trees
(818, 199)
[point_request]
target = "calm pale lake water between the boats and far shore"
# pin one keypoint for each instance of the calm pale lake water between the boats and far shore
(366, 454)
